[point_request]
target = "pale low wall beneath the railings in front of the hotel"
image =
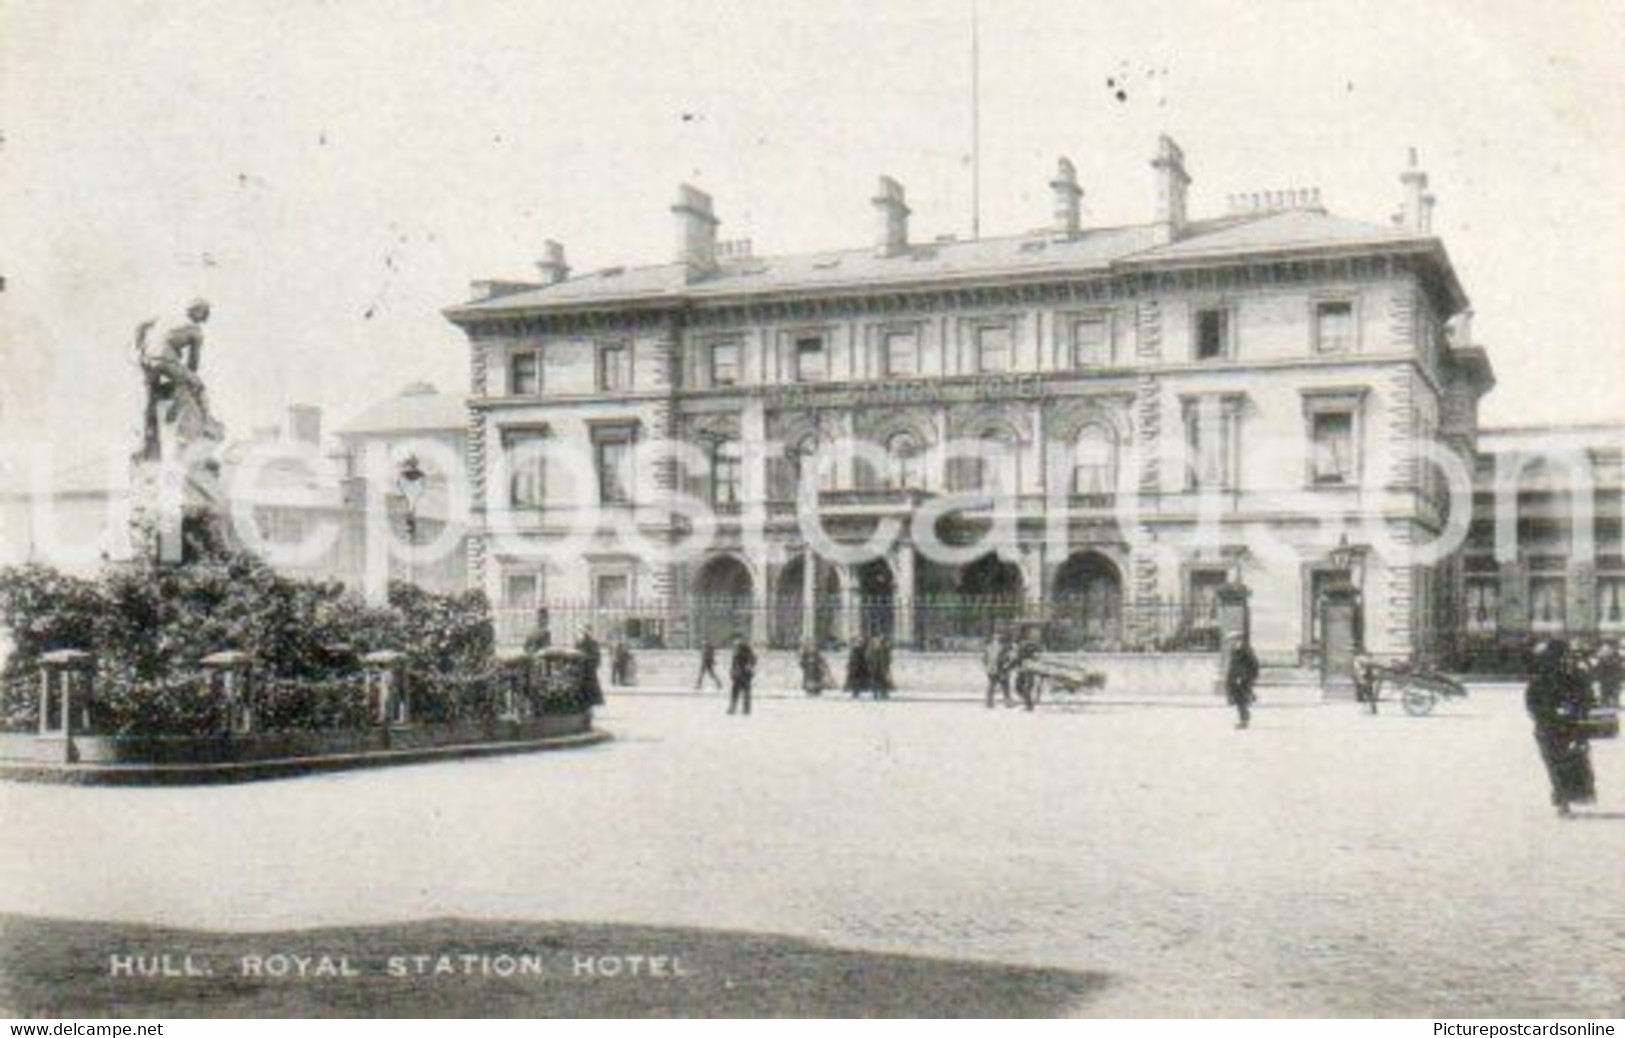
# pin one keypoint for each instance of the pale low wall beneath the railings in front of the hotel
(943, 673)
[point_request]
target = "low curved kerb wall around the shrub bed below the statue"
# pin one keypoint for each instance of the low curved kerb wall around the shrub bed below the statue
(284, 753)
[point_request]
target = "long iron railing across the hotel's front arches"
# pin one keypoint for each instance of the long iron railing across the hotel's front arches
(934, 625)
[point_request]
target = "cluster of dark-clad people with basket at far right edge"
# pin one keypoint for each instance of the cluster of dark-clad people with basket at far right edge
(1567, 688)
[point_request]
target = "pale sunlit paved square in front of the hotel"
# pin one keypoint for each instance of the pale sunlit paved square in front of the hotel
(1322, 863)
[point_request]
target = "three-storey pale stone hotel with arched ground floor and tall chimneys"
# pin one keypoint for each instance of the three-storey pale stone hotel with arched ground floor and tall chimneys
(1140, 413)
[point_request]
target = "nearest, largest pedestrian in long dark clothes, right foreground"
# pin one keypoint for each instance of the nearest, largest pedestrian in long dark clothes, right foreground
(1558, 699)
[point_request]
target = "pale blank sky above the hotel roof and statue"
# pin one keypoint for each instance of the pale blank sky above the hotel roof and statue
(332, 173)
